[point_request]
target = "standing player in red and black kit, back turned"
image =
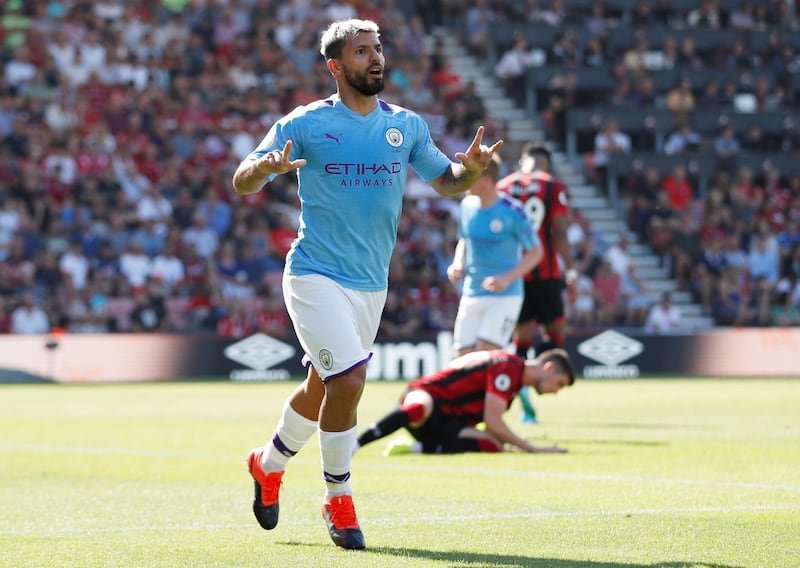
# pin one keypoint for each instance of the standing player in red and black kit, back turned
(545, 200)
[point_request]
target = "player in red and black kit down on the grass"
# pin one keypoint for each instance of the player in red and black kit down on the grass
(443, 411)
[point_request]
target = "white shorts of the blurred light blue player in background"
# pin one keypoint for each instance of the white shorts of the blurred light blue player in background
(490, 318)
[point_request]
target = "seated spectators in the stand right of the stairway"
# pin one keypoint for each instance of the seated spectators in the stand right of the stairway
(727, 230)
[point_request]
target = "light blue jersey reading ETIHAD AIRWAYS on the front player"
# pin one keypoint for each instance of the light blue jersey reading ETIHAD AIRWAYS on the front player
(351, 189)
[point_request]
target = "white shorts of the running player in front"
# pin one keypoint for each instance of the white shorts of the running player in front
(336, 326)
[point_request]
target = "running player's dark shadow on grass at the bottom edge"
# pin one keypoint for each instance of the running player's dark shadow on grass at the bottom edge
(515, 561)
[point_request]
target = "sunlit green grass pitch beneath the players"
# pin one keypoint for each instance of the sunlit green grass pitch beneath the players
(661, 473)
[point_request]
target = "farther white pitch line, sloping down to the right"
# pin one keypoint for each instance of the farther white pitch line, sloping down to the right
(396, 466)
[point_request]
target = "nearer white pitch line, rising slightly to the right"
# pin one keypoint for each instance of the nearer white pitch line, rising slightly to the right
(417, 519)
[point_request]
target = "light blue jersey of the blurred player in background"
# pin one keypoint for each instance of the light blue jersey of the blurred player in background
(495, 238)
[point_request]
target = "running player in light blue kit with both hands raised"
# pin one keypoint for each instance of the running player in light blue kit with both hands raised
(351, 154)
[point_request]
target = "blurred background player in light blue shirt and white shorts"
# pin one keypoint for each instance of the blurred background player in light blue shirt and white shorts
(497, 246)
